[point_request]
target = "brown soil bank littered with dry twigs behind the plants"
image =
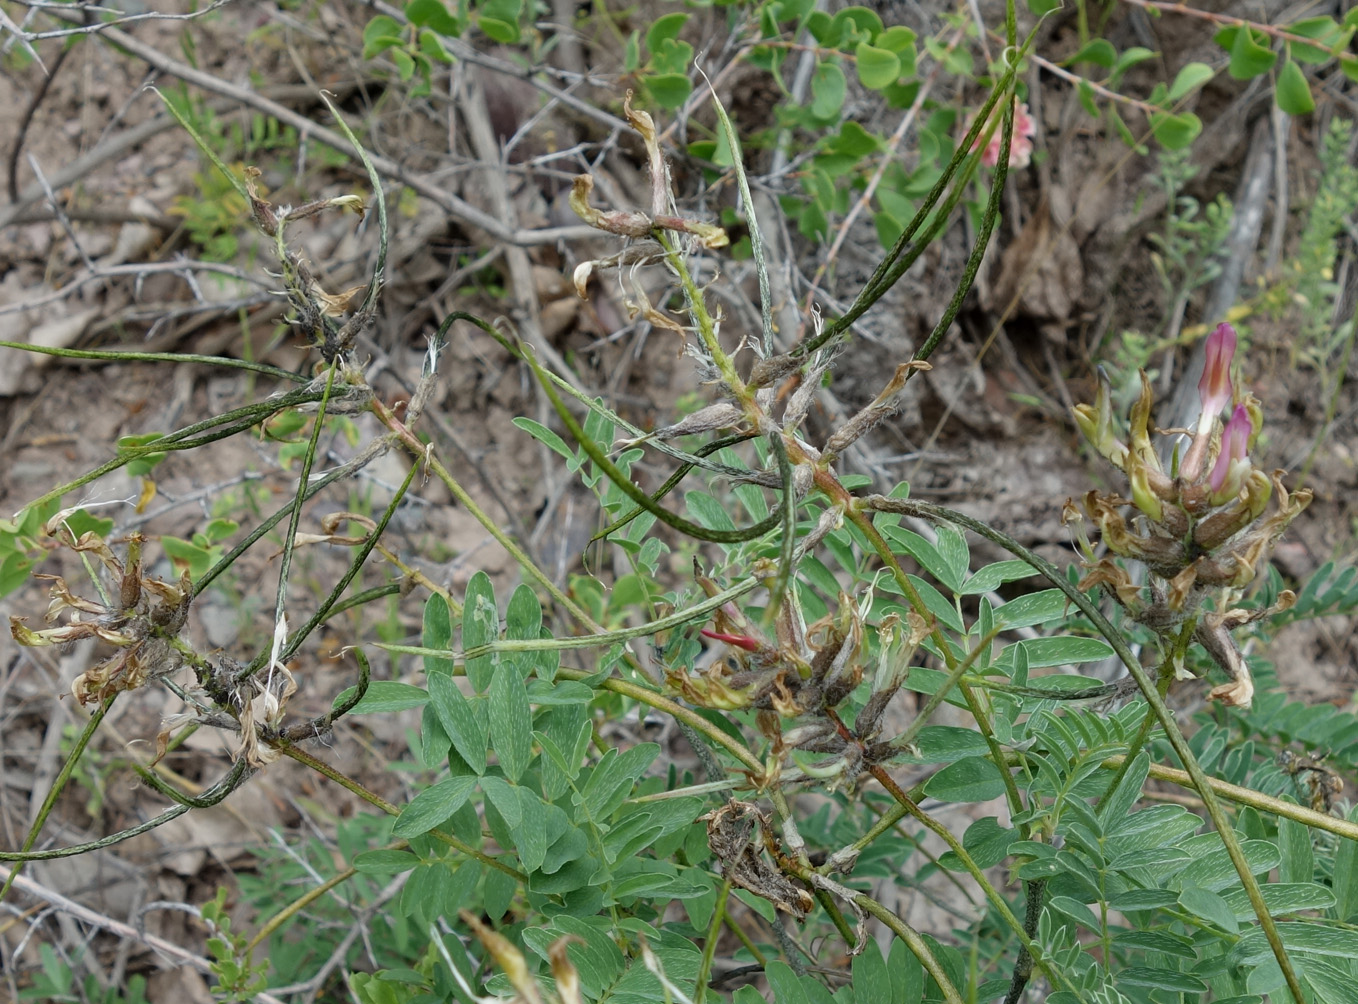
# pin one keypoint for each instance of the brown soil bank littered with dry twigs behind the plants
(987, 430)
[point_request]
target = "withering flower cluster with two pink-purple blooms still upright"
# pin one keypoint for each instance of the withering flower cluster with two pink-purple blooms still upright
(1200, 529)
